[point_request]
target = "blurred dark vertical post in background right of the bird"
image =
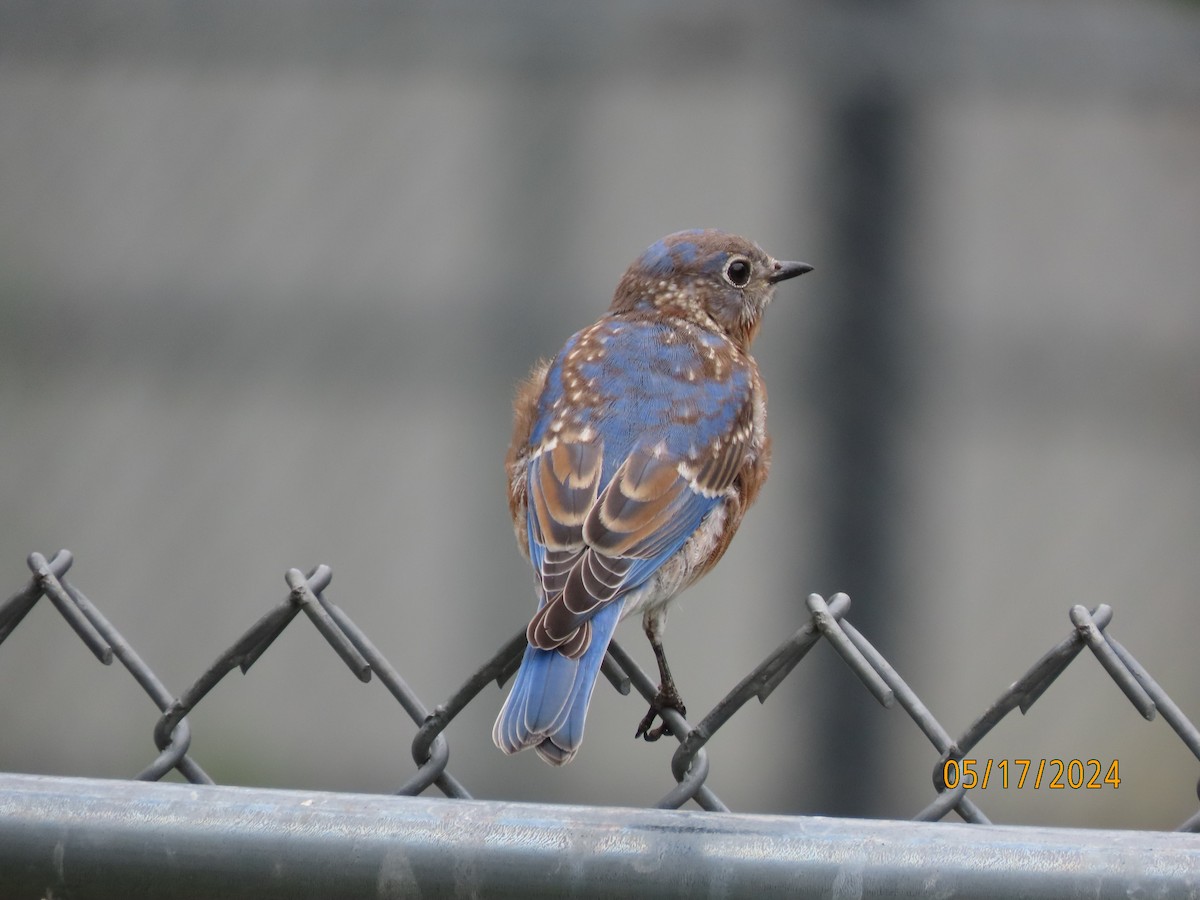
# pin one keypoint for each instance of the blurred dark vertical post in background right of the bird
(857, 379)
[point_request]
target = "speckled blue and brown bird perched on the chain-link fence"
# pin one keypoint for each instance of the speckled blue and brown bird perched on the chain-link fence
(635, 454)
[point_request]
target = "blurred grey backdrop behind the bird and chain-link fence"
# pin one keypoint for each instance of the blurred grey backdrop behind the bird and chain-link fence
(269, 273)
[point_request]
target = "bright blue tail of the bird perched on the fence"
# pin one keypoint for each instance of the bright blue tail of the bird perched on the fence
(549, 703)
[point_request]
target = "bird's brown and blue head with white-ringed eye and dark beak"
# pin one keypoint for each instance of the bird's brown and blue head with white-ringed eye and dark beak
(713, 279)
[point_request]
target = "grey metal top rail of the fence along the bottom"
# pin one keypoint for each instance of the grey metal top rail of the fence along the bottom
(91, 838)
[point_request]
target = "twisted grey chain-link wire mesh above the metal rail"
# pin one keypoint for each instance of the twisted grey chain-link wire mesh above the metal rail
(689, 766)
